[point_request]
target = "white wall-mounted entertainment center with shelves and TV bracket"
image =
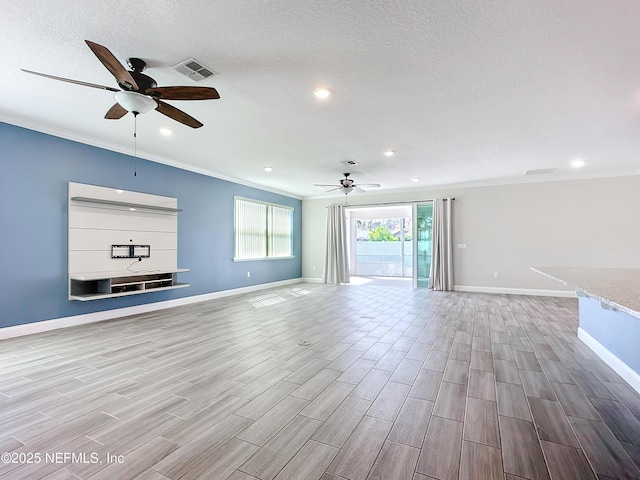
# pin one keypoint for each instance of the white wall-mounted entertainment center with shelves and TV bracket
(121, 243)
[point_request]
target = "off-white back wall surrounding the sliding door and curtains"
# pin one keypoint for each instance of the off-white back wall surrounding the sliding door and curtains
(509, 228)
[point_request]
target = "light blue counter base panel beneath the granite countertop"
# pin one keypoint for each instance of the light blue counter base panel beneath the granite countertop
(617, 331)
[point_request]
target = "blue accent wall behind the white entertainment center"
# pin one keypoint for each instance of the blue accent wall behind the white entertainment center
(35, 171)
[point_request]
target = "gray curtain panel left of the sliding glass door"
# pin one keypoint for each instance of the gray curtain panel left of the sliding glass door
(336, 261)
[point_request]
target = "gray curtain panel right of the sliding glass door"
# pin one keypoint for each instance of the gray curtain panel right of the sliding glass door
(441, 275)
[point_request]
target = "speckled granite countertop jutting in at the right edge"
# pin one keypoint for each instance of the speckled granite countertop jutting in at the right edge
(616, 287)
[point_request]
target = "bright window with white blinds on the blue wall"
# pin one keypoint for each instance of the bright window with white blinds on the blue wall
(263, 230)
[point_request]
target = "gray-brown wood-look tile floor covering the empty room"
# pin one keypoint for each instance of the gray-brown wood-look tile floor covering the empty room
(396, 384)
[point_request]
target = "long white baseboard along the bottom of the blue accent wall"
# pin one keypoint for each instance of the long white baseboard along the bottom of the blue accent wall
(57, 323)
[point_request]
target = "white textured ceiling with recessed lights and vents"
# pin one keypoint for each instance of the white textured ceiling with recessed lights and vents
(463, 91)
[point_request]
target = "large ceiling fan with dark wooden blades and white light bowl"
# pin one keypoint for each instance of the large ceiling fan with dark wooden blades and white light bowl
(139, 93)
